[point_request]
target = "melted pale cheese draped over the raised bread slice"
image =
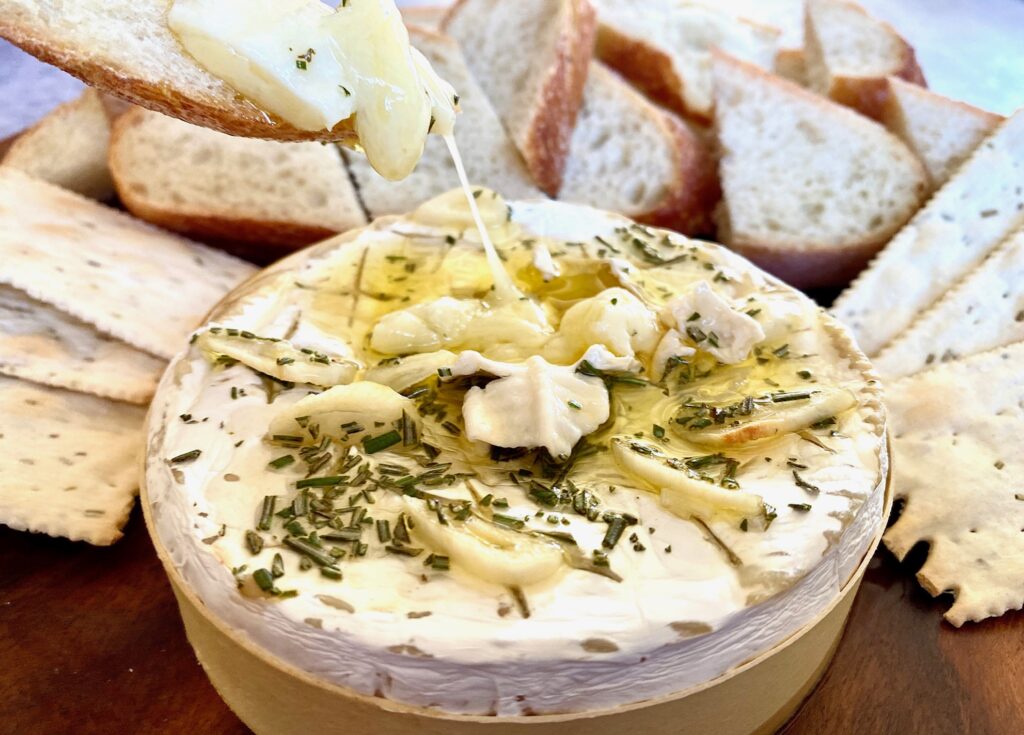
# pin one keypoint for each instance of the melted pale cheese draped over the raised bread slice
(315, 67)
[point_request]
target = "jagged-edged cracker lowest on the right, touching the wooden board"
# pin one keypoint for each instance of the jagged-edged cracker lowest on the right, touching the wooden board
(959, 463)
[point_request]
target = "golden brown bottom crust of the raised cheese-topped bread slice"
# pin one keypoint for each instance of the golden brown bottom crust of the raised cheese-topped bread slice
(234, 116)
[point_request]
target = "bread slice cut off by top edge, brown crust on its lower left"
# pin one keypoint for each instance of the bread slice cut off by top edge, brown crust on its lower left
(664, 48)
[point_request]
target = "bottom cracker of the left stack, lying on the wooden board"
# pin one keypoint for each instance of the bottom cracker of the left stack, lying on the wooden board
(69, 462)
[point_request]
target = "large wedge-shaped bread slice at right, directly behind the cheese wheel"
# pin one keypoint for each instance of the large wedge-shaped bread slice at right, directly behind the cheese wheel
(812, 190)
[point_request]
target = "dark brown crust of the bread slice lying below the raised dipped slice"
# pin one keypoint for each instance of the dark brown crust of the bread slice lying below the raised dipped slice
(260, 240)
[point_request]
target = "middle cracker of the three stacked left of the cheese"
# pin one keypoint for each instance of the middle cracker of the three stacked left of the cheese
(44, 344)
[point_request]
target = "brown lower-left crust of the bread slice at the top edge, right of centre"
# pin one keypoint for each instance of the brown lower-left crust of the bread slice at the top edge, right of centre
(650, 70)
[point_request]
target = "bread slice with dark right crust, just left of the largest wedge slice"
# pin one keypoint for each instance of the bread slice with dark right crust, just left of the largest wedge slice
(631, 157)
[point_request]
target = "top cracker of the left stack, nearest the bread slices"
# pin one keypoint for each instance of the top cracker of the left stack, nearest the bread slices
(134, 282)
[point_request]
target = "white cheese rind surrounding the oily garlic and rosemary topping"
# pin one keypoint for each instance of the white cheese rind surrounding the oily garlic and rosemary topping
(476, 661)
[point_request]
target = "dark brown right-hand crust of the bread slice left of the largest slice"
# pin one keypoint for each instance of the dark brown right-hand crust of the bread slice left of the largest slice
(691, 206)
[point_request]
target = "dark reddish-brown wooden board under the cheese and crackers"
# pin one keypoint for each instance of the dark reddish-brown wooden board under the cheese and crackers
(92, 642)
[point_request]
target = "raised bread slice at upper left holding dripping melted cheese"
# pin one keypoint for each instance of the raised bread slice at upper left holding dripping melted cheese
(125, 48)
